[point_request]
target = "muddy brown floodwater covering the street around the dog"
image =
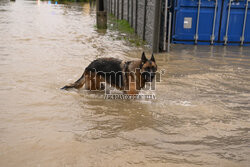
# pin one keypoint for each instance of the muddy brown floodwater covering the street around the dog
(200, 117)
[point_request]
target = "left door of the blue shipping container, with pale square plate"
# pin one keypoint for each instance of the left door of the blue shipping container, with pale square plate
(196, 21)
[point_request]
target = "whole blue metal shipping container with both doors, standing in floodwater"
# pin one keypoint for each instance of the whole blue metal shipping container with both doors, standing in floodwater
(211, 22)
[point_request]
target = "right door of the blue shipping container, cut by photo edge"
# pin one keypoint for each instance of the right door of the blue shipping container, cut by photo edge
(235, 22)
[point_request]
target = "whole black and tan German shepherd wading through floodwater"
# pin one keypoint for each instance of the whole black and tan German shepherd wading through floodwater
(127, 76)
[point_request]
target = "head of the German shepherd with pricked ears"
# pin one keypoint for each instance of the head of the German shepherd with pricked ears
(148, 68)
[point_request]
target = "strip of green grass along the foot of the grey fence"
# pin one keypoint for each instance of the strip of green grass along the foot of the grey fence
(126, 32)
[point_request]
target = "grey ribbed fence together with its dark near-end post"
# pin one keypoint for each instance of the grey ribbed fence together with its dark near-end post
(143, 15)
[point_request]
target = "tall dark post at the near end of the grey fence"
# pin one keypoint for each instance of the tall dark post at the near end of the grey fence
(156, 30)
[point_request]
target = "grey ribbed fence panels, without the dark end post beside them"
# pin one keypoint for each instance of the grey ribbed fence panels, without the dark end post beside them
(139, 13)
